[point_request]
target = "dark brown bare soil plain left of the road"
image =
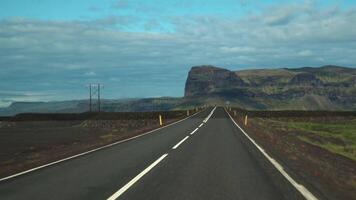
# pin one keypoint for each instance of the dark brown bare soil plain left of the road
(28, 140)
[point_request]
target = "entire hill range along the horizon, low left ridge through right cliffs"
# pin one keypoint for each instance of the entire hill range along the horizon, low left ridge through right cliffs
(323, 88)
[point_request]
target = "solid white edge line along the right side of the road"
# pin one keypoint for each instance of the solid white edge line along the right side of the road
(303, 190)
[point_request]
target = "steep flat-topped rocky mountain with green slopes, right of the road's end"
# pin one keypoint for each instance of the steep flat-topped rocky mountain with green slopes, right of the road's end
(307, 88)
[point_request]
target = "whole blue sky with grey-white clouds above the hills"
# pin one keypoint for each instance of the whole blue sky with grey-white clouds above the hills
(51, 50)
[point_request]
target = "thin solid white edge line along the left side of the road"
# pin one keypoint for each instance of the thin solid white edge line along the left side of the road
(91, 151)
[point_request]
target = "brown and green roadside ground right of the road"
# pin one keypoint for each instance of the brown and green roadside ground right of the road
(318, 148)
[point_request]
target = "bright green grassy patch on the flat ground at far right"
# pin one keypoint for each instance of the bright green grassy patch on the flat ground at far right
(338, 137)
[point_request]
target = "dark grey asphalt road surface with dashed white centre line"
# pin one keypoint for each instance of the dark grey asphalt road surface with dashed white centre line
(176, 162)
